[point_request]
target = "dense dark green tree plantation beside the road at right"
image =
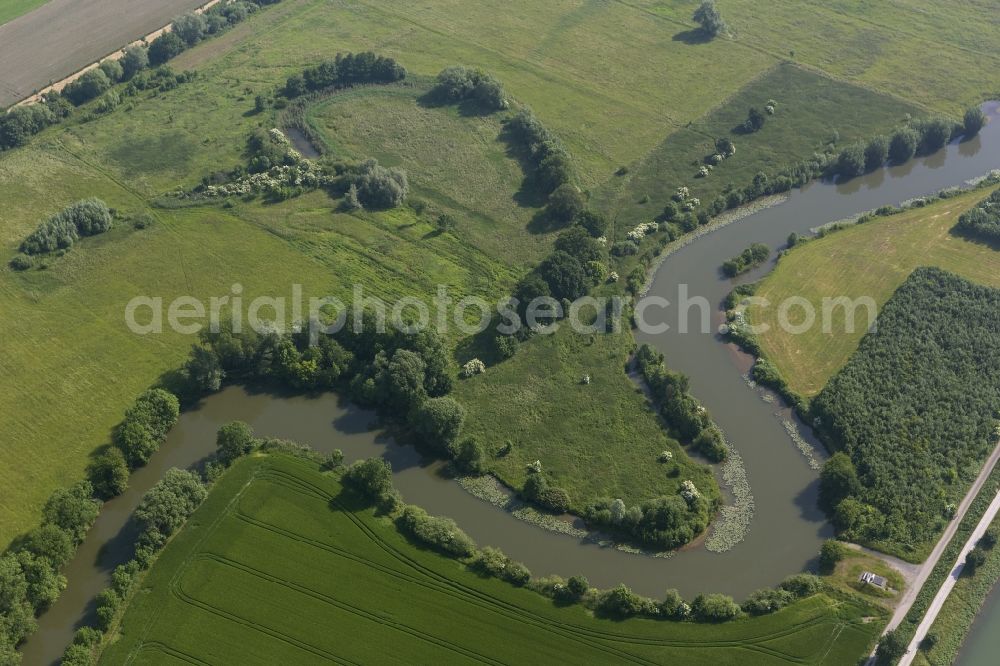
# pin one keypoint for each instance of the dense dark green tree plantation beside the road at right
(914, 408)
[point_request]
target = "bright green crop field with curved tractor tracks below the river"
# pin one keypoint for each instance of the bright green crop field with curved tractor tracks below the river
(278, 565)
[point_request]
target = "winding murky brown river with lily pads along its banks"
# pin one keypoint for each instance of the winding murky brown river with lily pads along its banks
(787, 529)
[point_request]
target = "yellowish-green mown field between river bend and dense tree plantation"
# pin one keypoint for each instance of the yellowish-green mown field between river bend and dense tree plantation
(888, 249)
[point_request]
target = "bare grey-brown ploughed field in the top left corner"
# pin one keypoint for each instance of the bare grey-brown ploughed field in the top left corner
(64, 36)
